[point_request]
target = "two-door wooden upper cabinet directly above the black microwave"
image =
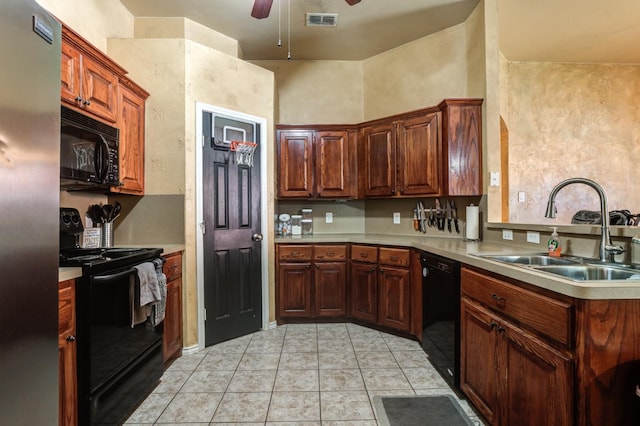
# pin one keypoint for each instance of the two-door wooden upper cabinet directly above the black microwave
(89, 79)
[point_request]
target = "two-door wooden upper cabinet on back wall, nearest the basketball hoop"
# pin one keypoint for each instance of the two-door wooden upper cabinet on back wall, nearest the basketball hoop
(316, 163)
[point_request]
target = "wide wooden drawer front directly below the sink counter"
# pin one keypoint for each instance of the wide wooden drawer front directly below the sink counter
(548, 316)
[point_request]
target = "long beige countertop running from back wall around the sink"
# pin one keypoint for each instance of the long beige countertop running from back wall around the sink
(464, 252)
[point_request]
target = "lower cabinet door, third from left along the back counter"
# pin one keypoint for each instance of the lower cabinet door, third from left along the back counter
(364, 292)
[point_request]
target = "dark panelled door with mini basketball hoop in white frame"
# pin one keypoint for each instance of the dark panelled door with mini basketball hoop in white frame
(231, 214)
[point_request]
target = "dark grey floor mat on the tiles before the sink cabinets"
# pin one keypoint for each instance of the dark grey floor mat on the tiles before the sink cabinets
(439, 410)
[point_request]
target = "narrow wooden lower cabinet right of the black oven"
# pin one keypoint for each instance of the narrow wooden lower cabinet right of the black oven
(172, 332)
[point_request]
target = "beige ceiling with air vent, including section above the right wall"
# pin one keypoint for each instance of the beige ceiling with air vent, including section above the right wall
(590, 31)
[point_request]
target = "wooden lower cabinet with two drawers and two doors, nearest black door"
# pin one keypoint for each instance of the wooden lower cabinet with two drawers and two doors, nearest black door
(311, 281)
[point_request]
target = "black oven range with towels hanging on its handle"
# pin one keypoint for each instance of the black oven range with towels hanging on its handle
(119, 356)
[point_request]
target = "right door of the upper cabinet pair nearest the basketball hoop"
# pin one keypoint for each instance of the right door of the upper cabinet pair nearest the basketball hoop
(335, 156)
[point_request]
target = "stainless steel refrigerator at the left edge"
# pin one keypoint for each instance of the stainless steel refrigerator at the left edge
(29, 211)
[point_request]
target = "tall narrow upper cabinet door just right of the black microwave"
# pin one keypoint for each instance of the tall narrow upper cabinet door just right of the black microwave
(131, 124)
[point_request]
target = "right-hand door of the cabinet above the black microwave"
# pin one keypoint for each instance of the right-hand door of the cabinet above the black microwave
(99, 89)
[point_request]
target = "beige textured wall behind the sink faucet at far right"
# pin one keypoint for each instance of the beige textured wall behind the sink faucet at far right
(568, 120)
